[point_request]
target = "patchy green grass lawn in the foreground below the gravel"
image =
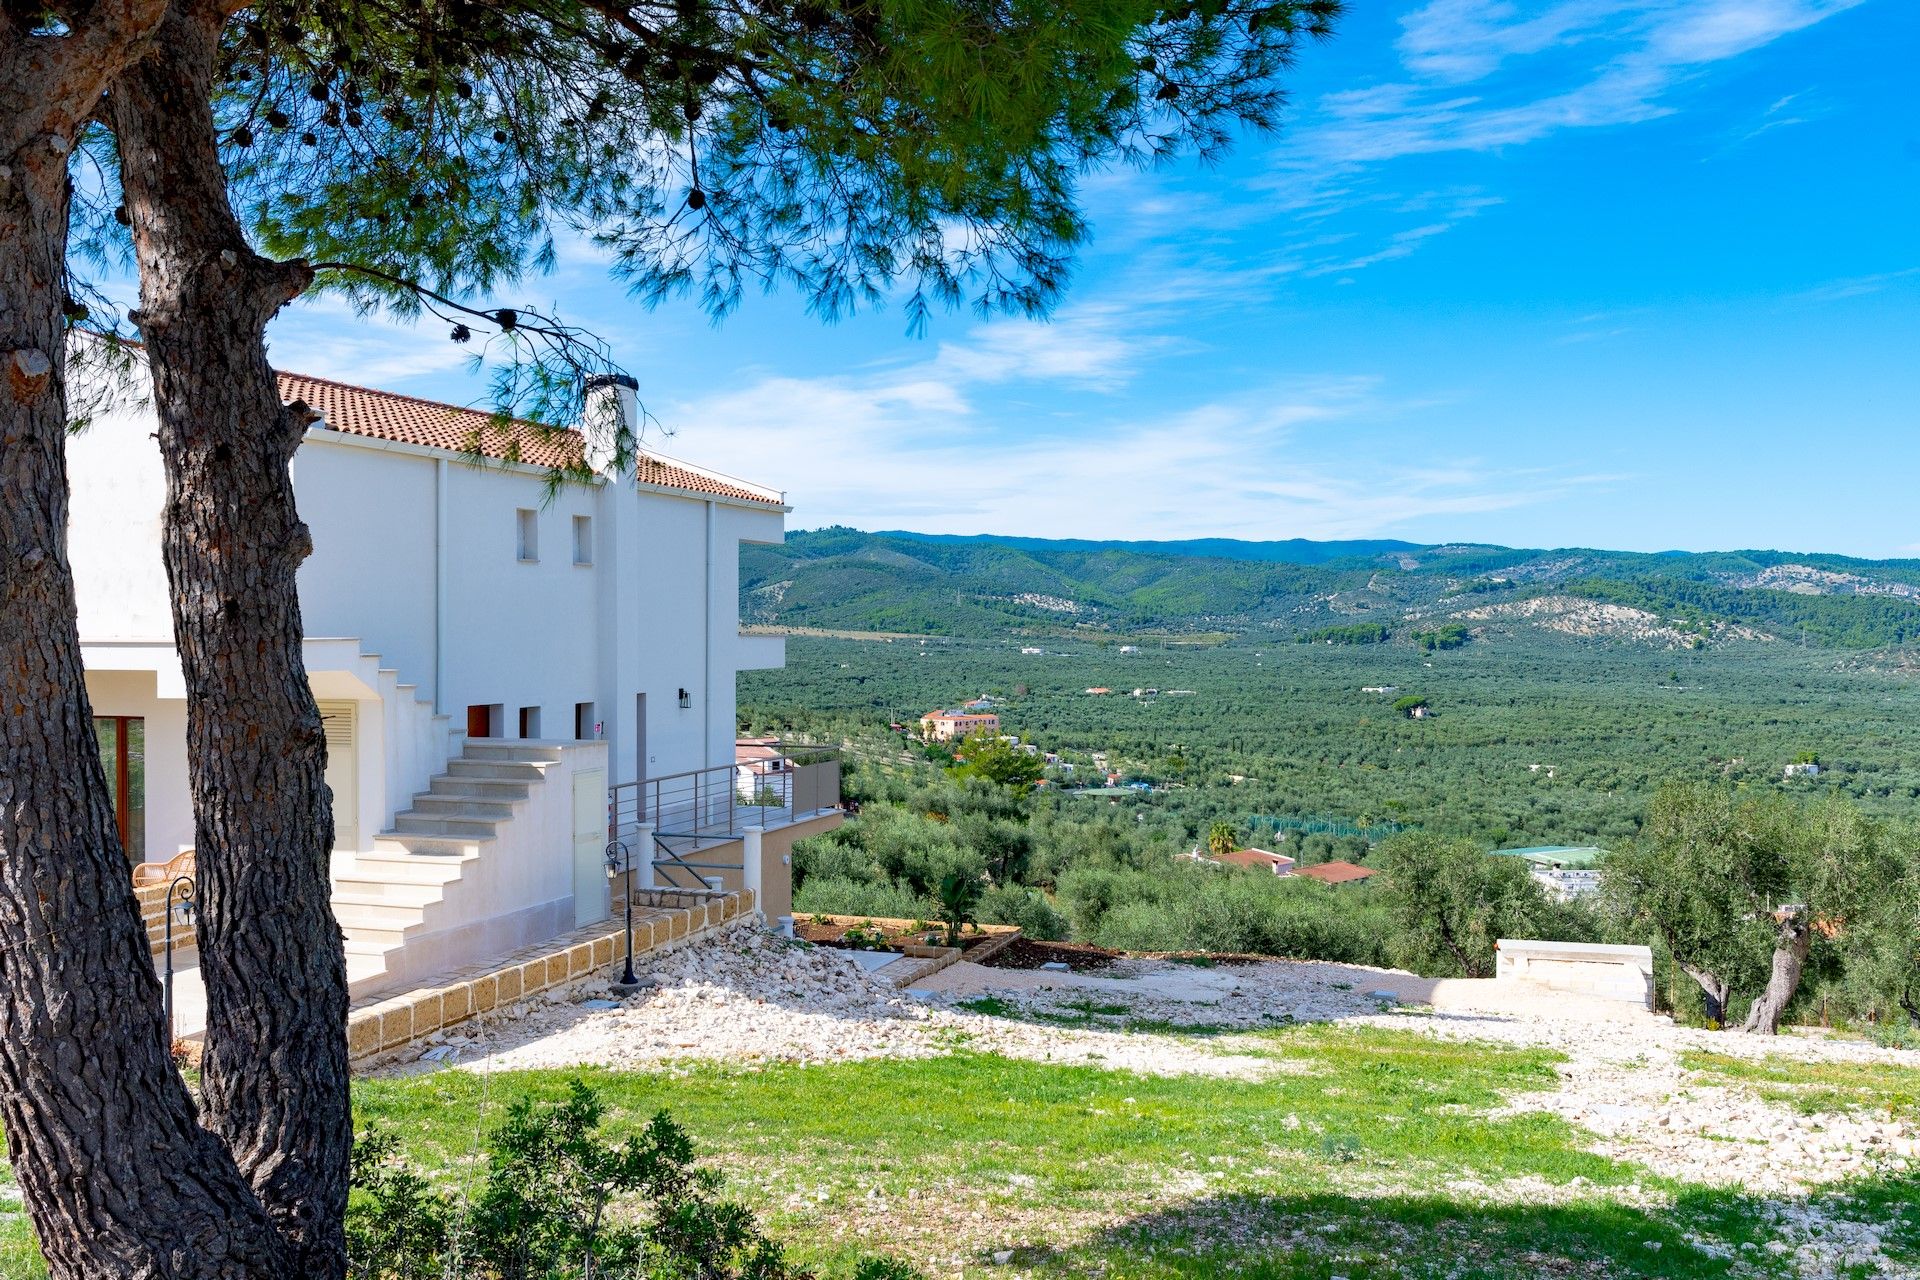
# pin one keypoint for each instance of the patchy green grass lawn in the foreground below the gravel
(1368, 1154)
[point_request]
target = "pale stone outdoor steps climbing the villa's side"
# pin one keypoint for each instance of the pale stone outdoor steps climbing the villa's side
(402, 889)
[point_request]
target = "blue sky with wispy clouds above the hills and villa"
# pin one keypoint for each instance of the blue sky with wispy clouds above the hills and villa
(1620, 273)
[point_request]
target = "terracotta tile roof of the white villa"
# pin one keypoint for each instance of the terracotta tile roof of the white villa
(431, 425)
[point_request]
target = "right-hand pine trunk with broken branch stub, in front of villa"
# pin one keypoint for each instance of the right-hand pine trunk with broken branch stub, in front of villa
(276, 1074)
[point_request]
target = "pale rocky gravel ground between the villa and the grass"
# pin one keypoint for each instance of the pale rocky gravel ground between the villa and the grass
(748, 997)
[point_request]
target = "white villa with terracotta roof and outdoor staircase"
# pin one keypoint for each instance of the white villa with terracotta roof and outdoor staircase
(506, 678)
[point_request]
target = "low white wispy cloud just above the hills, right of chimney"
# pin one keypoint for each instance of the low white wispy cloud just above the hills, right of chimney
(919, 446)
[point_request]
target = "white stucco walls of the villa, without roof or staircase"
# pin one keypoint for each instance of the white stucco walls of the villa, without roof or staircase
(416, 559)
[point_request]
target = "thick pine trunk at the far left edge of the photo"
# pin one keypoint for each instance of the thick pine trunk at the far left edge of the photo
(114, 1172)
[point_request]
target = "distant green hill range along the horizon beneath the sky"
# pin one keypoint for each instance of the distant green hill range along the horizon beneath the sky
(1026, 586)
